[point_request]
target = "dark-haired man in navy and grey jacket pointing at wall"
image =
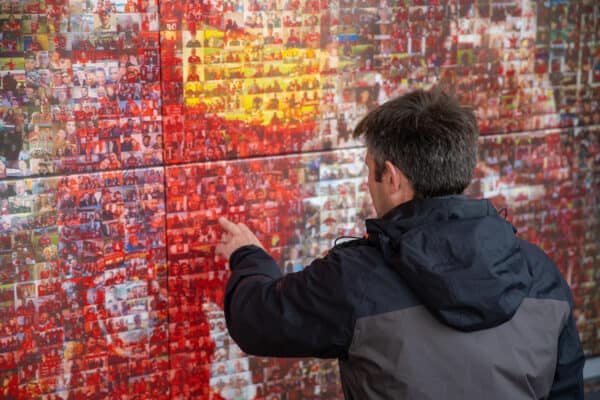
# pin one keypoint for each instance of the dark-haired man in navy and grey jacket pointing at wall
(440, 300)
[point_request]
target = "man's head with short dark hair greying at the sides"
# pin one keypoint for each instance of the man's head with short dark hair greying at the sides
(419, 145)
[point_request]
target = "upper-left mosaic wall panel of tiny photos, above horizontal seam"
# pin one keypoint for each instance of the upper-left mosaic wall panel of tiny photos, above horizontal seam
(80, 86)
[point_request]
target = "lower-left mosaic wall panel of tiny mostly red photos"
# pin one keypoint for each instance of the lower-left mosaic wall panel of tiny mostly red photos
(83, 286)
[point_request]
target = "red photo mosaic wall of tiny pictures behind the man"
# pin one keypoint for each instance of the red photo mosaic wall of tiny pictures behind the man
(127, 127)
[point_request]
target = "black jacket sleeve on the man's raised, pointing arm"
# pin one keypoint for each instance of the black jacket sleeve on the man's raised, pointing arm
(303, 314)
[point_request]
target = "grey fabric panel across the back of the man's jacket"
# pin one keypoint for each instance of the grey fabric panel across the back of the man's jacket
(409, 354)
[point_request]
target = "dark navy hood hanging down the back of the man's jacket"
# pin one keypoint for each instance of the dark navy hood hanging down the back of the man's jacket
(461, 259)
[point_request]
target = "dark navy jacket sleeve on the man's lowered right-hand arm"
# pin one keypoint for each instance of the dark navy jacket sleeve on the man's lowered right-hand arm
(568, 378)
